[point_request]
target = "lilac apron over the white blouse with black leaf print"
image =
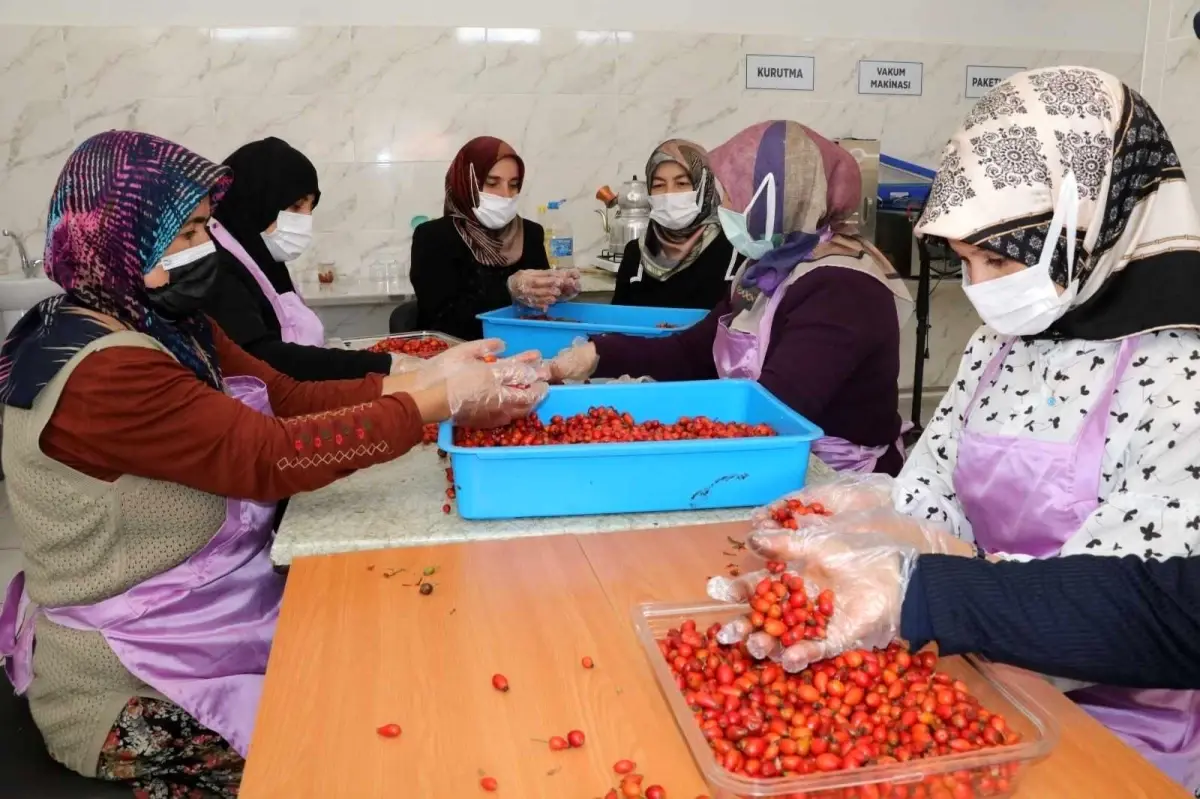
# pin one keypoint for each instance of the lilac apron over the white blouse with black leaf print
(1029, 497)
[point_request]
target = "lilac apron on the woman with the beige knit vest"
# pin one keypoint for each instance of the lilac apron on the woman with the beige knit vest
(201, 633)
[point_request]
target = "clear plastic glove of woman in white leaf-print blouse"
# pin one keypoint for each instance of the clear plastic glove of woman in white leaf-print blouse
(926, 538)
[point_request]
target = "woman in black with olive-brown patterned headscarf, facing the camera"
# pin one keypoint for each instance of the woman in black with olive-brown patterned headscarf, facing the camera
(683, 261)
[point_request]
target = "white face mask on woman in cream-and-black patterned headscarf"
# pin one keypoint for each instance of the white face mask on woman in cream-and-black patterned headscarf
(1028, 303)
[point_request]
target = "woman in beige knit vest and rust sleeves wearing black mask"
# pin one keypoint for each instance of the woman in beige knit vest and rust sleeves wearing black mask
(145, 453)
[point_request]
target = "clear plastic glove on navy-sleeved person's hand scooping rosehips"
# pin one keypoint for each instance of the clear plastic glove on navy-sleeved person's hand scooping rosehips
(868, 575)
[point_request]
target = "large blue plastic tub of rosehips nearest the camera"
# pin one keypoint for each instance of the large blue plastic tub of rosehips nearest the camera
(591, 479)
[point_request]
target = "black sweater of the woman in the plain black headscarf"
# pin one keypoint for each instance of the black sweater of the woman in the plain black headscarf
(239, 307)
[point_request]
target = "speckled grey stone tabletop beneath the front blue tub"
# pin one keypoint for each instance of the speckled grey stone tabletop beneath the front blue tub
(399, 504)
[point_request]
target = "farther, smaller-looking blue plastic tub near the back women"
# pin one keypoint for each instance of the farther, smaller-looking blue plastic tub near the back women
(550, 338)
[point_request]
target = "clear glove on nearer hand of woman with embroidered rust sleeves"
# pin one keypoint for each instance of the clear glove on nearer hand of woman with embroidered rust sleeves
(490, 395)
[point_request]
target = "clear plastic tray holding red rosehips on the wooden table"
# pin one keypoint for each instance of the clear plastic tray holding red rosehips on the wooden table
(1040, 732)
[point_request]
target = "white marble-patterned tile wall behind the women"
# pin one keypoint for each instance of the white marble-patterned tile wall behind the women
(383, 110)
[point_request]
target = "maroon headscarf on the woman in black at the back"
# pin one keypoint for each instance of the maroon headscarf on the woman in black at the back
(476, 159)
